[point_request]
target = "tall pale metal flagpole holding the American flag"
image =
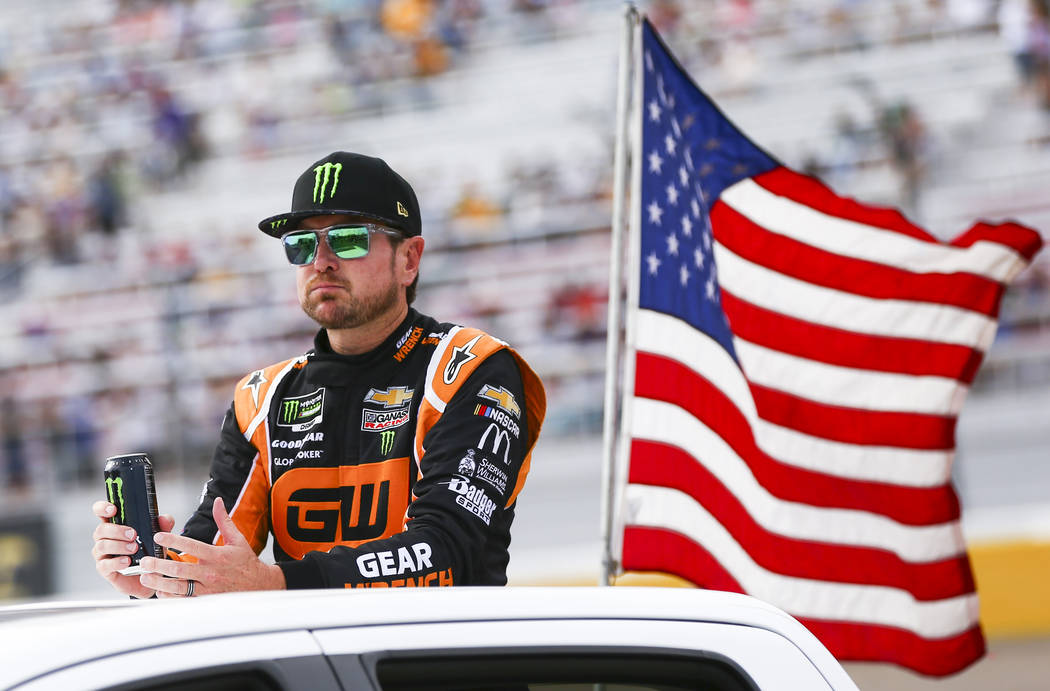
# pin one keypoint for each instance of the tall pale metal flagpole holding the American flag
(615, 315)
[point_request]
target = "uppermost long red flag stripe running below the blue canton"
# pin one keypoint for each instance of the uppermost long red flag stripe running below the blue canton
(708, 404)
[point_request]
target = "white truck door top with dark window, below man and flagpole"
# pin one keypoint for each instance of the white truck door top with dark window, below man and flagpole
(762, 659)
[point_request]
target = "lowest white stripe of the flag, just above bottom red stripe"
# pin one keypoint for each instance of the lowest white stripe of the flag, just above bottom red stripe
(668, 509)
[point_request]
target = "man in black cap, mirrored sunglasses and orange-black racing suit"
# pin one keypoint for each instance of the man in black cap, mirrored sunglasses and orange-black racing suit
(390, 455)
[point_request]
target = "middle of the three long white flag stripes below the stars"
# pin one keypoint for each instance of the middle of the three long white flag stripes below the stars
(666, 423)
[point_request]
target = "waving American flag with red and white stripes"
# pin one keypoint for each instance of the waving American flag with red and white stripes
(800, 362)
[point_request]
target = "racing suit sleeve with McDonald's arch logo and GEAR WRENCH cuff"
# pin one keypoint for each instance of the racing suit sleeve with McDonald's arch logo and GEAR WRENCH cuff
(459, 519)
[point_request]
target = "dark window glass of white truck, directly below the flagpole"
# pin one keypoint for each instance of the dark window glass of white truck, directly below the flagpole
(560, 671)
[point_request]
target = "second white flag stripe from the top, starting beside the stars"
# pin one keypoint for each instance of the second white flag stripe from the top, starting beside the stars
(833, 308)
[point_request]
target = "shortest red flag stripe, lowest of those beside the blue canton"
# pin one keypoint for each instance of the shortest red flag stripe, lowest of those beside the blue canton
(854, 426)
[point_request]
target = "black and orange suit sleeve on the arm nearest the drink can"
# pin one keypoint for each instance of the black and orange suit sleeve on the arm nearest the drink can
(236, 476)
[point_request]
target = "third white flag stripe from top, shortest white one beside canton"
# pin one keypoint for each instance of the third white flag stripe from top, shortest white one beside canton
(850, 387)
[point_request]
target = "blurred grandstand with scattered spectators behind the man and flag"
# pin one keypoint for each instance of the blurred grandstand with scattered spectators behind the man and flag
(141, 142)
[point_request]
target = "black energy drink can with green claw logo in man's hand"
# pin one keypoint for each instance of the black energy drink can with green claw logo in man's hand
(131, 489)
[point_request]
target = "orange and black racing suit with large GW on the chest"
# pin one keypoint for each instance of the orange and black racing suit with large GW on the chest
(396, 468)
